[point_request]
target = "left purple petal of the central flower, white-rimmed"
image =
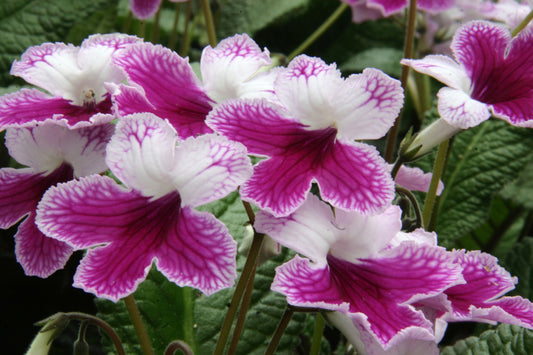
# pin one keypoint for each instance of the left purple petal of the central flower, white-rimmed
(258, 124)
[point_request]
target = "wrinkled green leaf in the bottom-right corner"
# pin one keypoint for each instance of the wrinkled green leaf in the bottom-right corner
(504, 340)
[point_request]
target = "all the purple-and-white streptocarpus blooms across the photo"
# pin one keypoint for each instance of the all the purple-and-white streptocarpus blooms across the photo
(171, 142)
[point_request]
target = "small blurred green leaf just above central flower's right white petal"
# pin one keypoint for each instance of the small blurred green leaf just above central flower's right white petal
(386, 59)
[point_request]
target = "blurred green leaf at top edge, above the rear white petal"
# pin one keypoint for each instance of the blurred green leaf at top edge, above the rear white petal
(249, 16)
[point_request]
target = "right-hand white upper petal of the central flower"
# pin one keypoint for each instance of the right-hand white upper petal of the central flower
(371, 103)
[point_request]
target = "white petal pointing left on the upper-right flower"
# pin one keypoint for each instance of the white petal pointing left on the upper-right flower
(442, 68)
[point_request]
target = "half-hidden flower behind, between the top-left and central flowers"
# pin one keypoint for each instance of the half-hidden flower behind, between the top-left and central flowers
(163, 83)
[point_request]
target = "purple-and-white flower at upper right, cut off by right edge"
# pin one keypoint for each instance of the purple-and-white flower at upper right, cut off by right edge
(492, 74)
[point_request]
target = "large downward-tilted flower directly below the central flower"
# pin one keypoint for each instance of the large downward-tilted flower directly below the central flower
(362, 267)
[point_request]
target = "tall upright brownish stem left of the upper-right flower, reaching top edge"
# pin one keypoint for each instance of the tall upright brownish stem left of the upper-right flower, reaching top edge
(407, 53)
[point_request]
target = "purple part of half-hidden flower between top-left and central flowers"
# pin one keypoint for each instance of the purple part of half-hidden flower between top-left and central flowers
(169, 84)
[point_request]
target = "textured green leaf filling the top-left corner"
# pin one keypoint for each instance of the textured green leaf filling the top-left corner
(24, 23)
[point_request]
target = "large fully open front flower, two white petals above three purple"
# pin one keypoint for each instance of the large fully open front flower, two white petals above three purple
(153, 218)
